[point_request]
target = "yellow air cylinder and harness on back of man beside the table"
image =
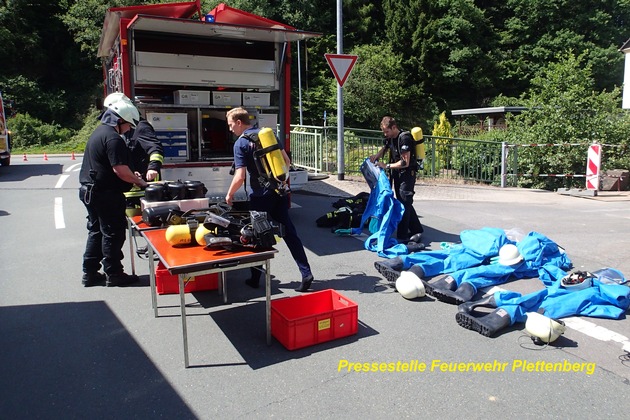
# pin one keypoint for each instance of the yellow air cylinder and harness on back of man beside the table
(272, 170)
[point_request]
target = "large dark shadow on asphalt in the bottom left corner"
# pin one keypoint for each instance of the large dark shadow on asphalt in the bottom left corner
(76, 360)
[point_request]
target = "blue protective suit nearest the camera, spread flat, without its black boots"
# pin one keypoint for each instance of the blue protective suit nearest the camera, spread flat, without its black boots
(599, 301)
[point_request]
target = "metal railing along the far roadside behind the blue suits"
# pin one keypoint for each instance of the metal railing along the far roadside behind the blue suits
(315, 148)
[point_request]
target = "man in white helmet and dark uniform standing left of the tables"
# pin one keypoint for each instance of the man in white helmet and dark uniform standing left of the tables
(105, 176)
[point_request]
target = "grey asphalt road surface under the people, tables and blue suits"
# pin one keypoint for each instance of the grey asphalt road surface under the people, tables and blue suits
(74, 352)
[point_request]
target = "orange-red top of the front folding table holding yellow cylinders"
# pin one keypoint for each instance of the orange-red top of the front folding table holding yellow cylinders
(185, 259)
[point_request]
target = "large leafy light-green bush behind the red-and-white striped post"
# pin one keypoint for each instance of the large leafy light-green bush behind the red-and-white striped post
(565, 109)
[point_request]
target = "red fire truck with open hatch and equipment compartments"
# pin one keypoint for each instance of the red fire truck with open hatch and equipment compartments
(184, 73)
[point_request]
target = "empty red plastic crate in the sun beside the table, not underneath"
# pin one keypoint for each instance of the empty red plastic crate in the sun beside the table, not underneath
(313, 318)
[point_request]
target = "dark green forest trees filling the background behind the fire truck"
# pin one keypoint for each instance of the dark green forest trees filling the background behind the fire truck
(417, 58)
